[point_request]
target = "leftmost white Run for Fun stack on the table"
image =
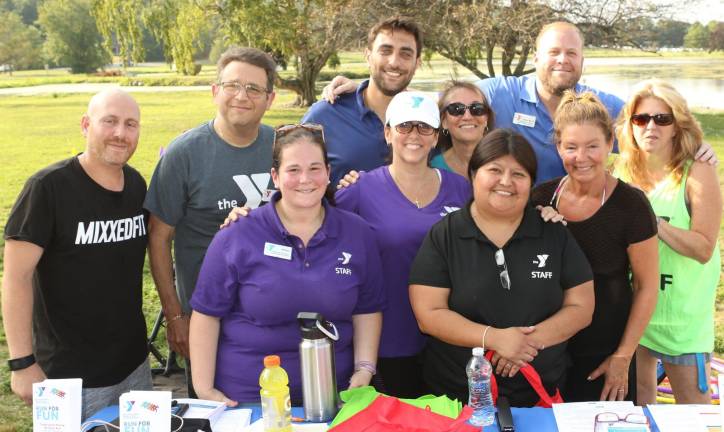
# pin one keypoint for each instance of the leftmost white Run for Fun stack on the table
(57, 405)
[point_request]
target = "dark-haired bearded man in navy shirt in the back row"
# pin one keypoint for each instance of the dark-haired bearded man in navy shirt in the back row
(354, 125)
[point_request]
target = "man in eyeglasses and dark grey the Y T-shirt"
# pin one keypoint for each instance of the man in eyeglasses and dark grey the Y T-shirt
(204, 173)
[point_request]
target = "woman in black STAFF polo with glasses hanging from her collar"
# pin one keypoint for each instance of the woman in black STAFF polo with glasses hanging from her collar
(495, 275)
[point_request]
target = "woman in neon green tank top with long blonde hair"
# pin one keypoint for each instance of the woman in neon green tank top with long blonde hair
(659, 137)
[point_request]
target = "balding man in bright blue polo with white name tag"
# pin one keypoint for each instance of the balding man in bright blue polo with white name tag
(528, 103)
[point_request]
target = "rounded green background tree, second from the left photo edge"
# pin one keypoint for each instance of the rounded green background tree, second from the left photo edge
(72, 38)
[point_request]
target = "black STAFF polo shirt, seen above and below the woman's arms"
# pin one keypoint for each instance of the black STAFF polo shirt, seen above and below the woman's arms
(543, 260)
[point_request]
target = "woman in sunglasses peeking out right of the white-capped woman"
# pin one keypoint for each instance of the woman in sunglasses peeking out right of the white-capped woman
(466, 117)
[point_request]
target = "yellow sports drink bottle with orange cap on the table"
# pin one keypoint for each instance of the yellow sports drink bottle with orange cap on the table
(276, 408)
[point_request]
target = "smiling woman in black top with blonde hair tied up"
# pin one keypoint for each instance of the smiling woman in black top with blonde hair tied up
(615, 226)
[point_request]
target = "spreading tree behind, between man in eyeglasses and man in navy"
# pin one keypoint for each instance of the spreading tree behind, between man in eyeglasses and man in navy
(307, 32)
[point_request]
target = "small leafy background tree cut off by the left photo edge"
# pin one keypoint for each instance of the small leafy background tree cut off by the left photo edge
(19, 43)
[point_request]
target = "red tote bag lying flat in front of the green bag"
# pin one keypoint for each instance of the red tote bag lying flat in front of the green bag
(388, 414)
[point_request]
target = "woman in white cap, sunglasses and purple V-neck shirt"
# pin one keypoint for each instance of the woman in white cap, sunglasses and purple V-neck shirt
(400, 202)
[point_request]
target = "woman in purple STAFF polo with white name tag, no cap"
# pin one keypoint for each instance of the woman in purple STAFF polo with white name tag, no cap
(298, 253)
